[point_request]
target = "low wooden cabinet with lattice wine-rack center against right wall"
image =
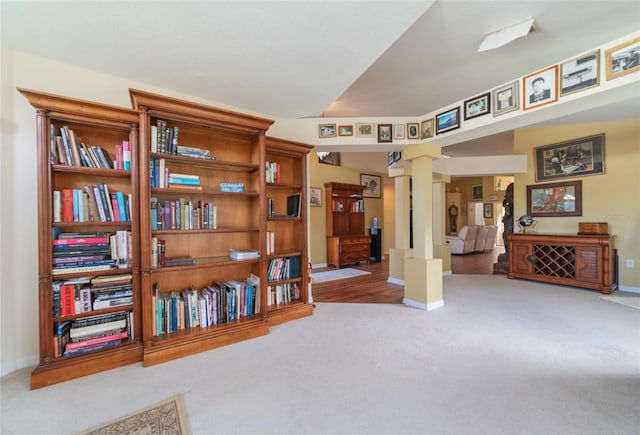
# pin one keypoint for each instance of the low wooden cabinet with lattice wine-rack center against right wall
(576, 260)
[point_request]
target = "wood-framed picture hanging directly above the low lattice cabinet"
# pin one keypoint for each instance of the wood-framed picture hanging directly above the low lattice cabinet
(555, 199)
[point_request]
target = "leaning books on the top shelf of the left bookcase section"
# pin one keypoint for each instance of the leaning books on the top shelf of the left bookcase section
(67, 148)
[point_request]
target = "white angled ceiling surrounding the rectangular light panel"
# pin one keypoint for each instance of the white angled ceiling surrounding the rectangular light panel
(289, 59)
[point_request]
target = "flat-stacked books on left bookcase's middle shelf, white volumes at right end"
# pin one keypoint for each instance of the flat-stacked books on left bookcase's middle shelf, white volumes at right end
(91, 252)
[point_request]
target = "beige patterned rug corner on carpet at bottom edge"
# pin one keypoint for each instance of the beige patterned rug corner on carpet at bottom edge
(165, 418)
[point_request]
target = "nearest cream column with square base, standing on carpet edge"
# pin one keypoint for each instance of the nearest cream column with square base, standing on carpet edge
(423, 272)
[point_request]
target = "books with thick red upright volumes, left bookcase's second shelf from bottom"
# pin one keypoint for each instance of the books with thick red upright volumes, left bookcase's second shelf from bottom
(86, 294)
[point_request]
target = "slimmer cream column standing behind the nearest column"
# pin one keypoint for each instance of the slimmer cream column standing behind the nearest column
(402, 251)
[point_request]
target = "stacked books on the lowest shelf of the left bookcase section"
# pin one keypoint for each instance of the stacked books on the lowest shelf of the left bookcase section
(90, 334)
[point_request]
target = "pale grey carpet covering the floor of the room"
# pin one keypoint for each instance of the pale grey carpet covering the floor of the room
(500, 357)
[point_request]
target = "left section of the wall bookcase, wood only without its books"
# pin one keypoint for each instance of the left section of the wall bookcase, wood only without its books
(104, 126)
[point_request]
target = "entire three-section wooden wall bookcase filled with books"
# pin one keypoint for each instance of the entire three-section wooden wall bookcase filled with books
(210, 213)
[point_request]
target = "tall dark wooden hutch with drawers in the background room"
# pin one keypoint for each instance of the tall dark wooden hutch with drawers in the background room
(346, 239)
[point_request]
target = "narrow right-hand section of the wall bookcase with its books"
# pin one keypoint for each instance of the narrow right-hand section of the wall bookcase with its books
(287, 294)
